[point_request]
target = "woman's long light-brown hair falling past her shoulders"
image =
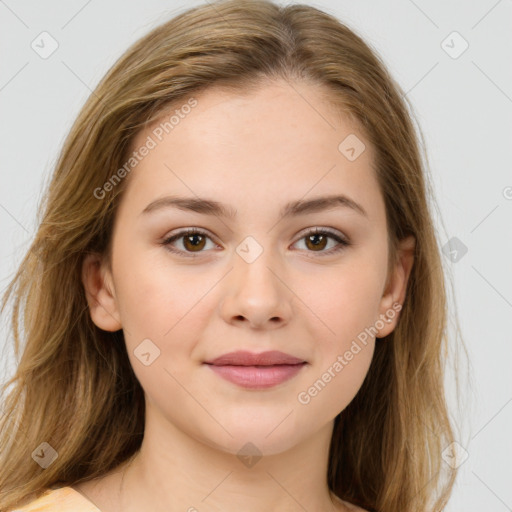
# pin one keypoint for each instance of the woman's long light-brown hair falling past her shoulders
(74, 387)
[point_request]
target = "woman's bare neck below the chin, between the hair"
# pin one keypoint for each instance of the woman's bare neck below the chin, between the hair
(173, 471)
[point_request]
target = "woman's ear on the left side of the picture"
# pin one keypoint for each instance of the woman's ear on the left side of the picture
(100, 293)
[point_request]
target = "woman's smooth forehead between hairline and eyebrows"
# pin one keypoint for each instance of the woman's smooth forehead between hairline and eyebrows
(282, 140)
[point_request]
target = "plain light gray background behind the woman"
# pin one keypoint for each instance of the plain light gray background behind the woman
(463, 104)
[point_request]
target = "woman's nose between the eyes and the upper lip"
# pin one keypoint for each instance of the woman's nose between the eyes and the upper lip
(256, 294)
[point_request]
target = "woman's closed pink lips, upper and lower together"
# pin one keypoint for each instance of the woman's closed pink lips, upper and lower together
(256, 371)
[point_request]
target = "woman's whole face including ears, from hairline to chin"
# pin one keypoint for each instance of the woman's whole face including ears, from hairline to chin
(310, 281)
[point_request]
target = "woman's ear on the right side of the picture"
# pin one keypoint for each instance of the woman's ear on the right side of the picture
(394, 293)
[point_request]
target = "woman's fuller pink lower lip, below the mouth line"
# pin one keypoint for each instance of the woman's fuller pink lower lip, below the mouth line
(257, 377)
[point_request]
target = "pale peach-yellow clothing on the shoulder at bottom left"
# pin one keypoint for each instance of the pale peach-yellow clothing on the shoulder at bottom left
(63, 499)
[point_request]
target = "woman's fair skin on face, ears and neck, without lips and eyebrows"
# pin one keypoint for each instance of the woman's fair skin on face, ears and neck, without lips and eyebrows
(254, 153)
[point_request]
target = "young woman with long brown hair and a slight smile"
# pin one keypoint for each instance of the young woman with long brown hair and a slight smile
(235, 298)
